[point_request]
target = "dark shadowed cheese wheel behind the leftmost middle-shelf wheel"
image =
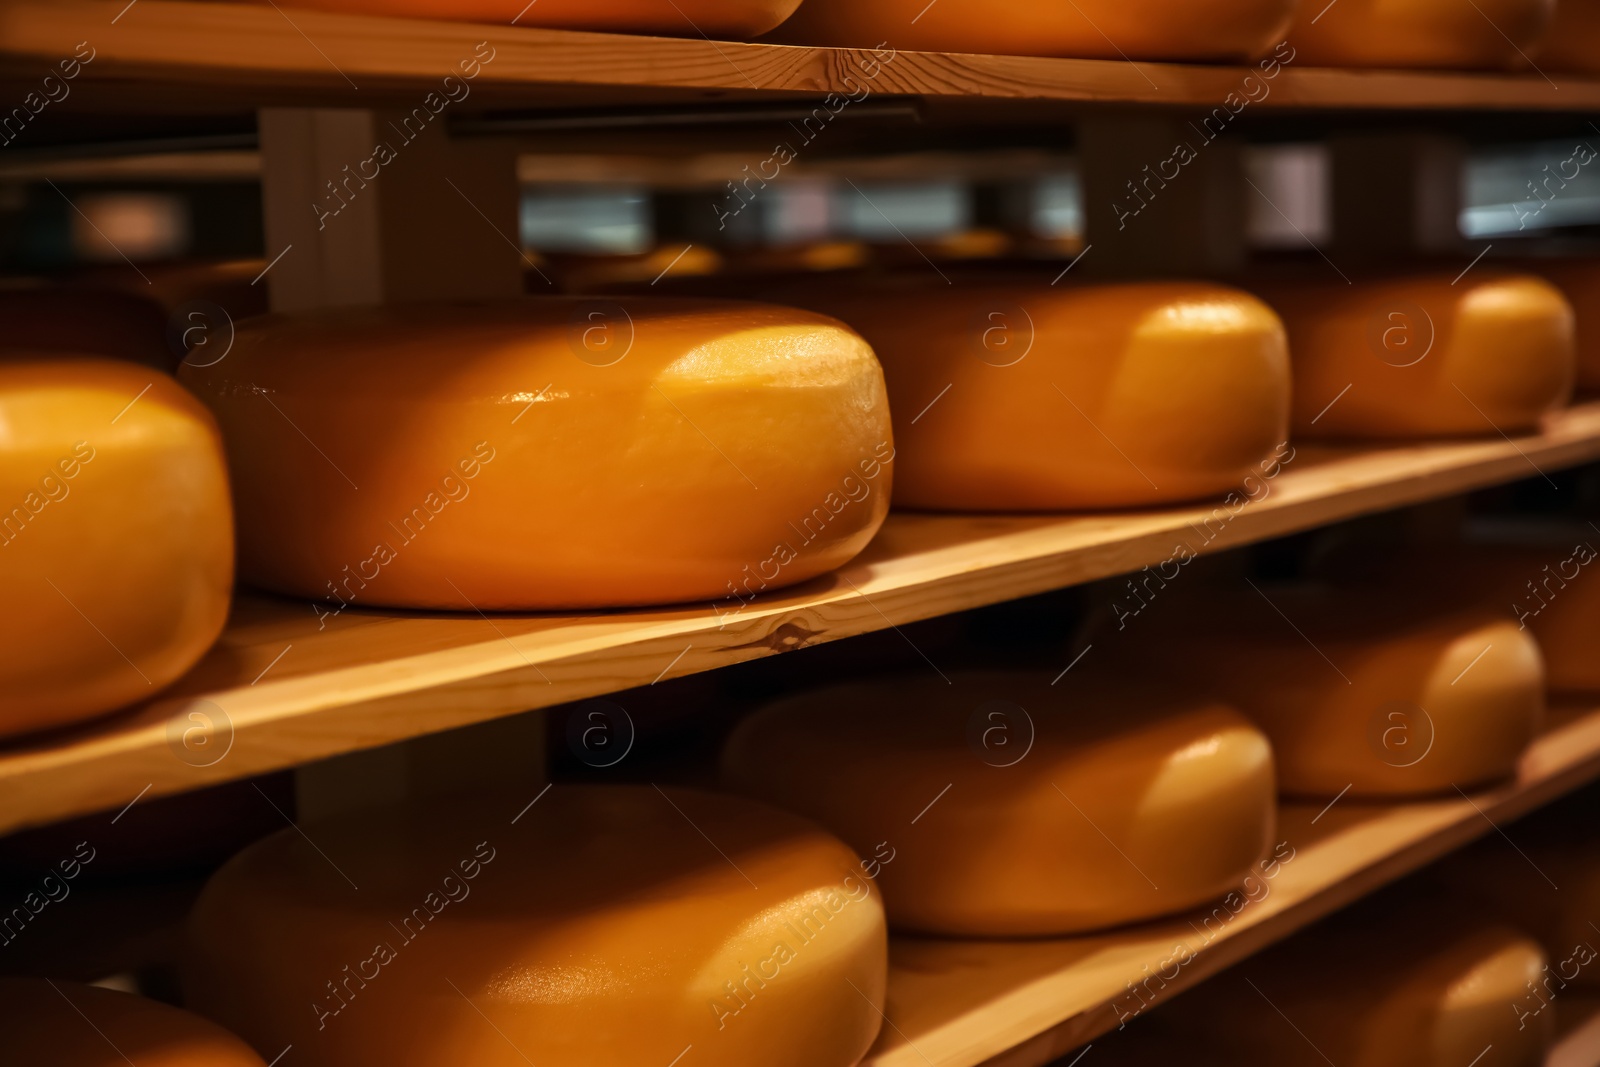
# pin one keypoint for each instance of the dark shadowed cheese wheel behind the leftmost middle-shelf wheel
(97, 322)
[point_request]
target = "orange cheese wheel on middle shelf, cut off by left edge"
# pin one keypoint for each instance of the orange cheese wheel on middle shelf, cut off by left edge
(116, 538)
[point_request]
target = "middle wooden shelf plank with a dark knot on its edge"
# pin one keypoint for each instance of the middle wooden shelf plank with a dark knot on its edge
(282, 689)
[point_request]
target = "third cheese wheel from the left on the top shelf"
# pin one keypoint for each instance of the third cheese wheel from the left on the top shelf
(1482, 34)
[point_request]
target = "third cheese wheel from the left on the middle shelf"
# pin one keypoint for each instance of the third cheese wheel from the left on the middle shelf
(1036, 398)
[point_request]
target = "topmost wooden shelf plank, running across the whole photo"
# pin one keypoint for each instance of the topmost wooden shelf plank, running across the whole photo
(346, 60)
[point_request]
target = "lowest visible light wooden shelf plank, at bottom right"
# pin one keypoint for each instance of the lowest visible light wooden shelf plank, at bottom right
(1026, 1004)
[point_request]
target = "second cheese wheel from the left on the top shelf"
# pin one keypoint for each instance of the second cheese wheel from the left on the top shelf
(1089, 30)
